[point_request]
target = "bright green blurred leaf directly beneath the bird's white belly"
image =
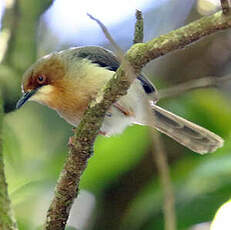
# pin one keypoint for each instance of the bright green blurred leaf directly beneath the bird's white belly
(115, 156)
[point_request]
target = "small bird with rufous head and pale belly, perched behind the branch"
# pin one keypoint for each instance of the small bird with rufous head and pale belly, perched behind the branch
(68, 80)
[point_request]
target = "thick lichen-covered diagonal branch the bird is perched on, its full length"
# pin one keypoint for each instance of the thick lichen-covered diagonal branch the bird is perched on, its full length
(83, 141)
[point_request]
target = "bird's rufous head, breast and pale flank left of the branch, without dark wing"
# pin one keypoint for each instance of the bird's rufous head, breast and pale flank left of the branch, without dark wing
(64, 81)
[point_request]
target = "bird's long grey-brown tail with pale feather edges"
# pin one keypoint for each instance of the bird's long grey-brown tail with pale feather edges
(192, 136)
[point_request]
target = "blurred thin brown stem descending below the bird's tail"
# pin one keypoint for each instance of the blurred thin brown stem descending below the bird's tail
(159, 155)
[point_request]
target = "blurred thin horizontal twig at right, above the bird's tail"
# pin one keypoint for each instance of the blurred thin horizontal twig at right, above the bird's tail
(192, 85)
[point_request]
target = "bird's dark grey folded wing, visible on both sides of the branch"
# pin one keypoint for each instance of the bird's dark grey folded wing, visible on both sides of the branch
(105, 58)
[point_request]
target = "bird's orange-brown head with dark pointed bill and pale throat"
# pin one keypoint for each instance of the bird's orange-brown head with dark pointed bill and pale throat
(44, 80)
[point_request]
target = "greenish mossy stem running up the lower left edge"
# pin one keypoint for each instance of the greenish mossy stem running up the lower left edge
(7, 221)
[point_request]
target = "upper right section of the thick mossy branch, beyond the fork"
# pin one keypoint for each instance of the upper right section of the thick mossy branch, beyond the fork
(141, 53)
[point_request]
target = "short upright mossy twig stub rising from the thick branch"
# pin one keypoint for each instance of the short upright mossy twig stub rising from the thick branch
(139, 28)
